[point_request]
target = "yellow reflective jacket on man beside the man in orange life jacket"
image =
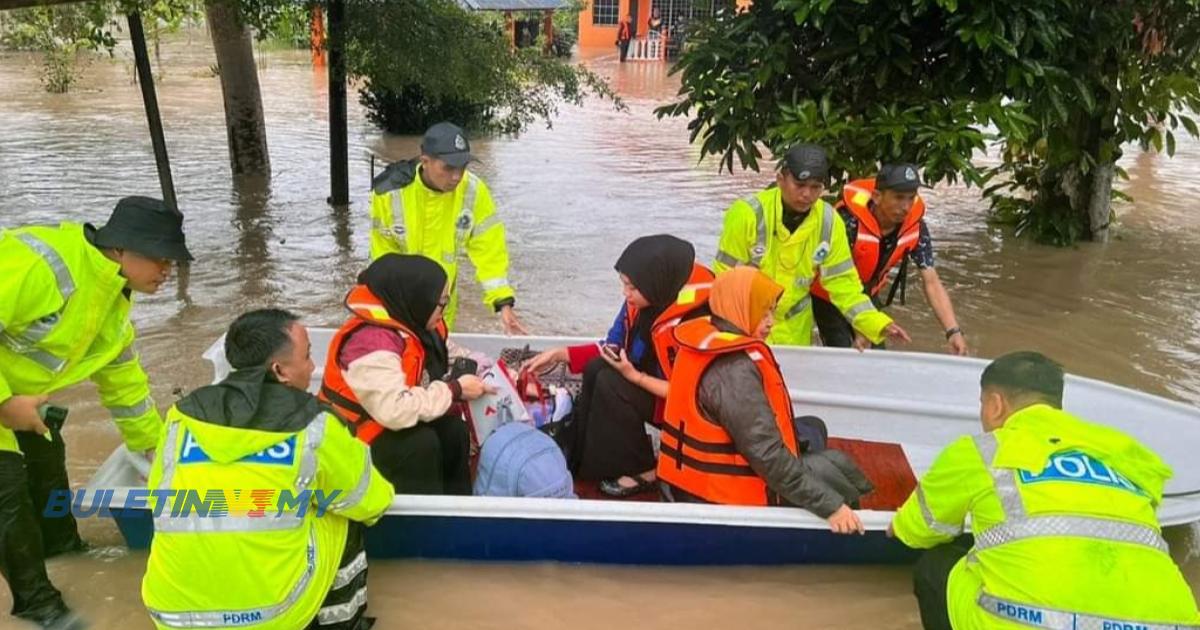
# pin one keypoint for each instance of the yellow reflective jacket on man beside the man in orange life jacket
(755, 235)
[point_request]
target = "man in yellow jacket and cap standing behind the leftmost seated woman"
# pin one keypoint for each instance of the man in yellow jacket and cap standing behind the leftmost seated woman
(435, 207)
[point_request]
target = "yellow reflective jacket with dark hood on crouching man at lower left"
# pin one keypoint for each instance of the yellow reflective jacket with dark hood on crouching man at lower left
(227, 550)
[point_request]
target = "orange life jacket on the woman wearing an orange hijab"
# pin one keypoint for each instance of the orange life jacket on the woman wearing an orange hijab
(699, 455)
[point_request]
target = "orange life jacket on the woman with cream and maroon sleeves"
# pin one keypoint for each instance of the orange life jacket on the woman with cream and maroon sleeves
(369, 311)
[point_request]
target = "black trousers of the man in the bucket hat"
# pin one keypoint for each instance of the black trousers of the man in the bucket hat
(22, 543)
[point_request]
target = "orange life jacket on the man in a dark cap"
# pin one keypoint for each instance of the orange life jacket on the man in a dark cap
(856, 197)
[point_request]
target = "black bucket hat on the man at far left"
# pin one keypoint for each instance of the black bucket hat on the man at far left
(146, 226)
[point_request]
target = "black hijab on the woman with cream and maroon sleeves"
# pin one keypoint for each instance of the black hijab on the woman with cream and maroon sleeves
(410, 289)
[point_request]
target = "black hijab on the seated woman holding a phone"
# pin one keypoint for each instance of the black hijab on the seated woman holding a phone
(658, 267)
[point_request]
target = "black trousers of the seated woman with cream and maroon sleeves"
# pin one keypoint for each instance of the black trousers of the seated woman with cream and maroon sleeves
(428, 459)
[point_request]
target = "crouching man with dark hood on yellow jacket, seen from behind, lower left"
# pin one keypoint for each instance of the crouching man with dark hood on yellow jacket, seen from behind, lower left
(260, 429)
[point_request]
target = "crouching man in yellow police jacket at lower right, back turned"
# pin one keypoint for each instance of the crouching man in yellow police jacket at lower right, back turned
(1063, 512)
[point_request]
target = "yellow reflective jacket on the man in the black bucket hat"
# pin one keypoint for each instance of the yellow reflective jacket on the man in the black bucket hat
(65, 317)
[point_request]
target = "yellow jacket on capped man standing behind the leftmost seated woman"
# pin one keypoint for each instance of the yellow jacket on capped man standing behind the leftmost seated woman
(410, 218)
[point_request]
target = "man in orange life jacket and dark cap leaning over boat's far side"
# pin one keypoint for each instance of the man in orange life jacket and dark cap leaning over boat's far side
(886, 227)
